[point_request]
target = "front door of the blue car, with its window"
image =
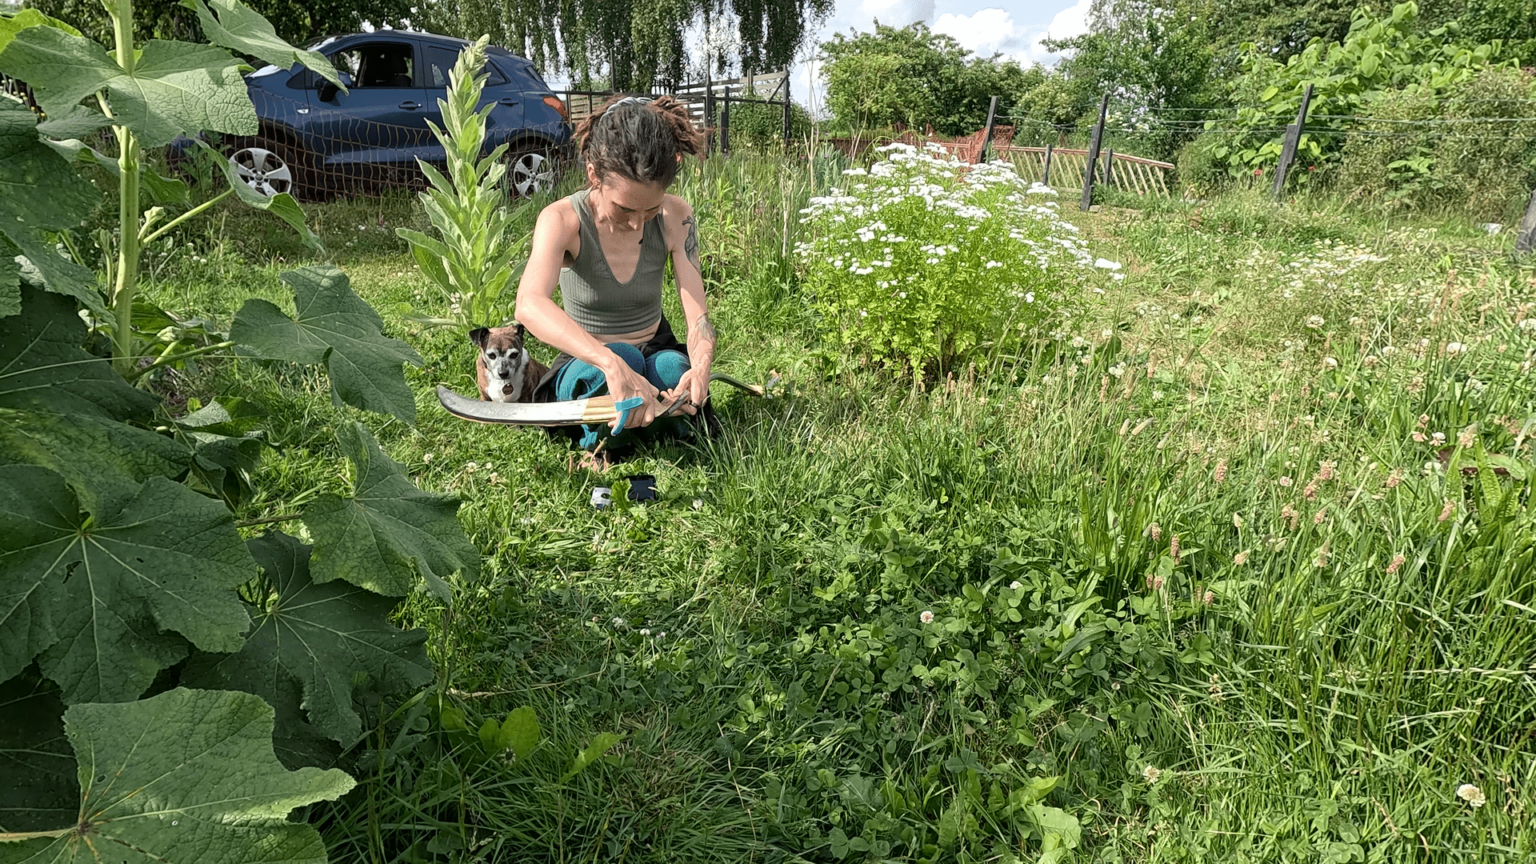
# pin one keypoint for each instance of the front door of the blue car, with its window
(383, 118)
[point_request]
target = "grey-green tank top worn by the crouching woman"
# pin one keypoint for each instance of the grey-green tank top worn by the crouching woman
(600, 302)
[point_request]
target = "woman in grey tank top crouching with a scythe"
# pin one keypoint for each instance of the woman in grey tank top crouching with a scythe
(614, 241)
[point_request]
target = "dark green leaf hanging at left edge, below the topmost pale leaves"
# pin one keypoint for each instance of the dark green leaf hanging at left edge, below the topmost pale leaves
(41, 193)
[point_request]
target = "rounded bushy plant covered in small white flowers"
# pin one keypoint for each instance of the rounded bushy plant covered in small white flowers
(925, 259)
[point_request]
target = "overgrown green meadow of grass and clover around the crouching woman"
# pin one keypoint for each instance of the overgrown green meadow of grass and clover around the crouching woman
(1230, 559)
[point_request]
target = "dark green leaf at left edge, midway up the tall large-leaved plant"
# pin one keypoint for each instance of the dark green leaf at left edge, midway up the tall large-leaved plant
(62, 408)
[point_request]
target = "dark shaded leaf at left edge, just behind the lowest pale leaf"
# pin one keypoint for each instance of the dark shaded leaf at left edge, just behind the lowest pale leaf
(38, 774)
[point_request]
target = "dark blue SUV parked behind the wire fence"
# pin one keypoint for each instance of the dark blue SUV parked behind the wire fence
(317, 141)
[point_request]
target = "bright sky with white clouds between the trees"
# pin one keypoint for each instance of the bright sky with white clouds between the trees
(1011, 27)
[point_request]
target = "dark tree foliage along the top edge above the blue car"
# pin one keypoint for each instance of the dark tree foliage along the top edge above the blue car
(294, 21)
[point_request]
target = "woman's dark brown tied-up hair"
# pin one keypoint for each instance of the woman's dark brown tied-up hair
(640, 139)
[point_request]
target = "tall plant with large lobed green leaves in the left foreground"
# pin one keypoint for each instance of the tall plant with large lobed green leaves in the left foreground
(124, 571)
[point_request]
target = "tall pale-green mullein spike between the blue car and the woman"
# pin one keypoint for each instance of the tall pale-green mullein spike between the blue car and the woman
(468, 205)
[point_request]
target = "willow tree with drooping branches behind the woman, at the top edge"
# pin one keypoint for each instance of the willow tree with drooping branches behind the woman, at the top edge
(632, 44)
